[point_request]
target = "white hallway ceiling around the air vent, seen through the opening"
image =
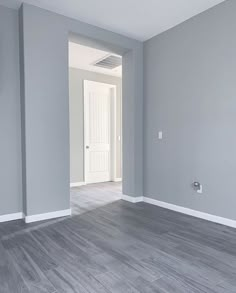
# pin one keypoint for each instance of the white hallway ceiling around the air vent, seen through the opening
(84, 57)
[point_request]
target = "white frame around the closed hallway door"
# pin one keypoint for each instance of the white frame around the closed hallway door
(113, 127)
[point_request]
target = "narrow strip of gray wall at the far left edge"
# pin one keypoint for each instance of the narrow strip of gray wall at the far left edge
(10, 129)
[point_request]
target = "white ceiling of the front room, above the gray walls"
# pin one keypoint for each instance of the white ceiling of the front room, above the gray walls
(139, 19)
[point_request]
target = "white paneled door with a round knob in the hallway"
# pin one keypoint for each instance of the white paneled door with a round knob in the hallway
(98, 101)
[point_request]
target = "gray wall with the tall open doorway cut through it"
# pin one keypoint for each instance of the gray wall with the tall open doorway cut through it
(46, 106)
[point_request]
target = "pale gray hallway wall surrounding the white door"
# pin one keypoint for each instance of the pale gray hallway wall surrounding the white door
(76, 78)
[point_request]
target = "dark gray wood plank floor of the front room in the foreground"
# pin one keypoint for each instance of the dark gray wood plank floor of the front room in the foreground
(118, 247)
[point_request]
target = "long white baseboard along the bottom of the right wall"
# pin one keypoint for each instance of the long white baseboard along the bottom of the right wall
(190, 212)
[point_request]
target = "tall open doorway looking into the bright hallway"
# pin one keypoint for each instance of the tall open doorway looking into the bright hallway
(95, 83)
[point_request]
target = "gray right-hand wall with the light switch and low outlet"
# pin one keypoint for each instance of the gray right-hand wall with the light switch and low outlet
(190, 94)
